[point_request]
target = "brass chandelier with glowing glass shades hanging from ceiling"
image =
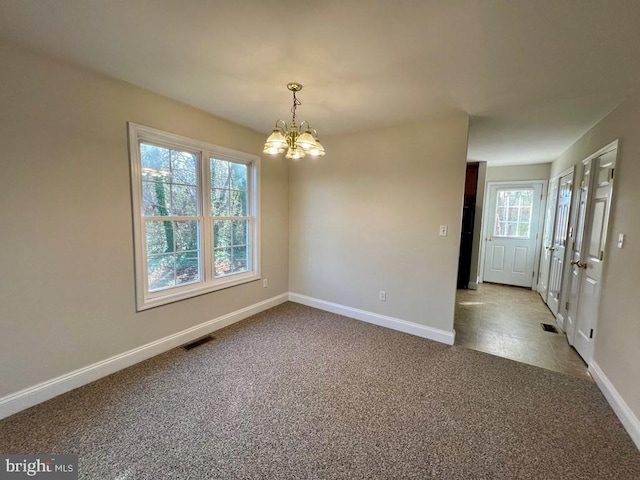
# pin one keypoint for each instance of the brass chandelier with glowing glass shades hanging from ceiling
(298, 145)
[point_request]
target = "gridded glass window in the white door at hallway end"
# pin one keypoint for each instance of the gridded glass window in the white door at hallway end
(513, 213)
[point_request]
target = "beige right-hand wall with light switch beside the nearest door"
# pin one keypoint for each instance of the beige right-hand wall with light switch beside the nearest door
(617, 340)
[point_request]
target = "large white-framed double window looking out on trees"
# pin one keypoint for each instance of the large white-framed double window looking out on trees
(195, 213)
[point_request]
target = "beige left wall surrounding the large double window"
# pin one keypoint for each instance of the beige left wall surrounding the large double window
(67, 282)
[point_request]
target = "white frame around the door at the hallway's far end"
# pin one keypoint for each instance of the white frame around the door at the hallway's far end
(487, 217)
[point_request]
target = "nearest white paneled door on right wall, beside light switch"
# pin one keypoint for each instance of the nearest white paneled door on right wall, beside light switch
(593, 250)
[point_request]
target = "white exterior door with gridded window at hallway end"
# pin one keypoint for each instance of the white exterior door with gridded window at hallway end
(512, 233)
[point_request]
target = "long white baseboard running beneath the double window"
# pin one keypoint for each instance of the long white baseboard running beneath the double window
(31, 396)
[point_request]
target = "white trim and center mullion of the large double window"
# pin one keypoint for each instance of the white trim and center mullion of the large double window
(205, 151)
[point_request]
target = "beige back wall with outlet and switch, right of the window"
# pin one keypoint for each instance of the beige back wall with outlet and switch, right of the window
(366, 218)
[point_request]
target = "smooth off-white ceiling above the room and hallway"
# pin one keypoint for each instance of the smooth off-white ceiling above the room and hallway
(534, 75)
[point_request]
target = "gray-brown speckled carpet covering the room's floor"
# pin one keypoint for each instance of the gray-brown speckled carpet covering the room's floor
(295, 392)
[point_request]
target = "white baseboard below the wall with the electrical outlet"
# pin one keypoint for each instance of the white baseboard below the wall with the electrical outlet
(438, 335)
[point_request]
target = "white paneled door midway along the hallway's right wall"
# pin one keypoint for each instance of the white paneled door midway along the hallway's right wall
(558, 247)
